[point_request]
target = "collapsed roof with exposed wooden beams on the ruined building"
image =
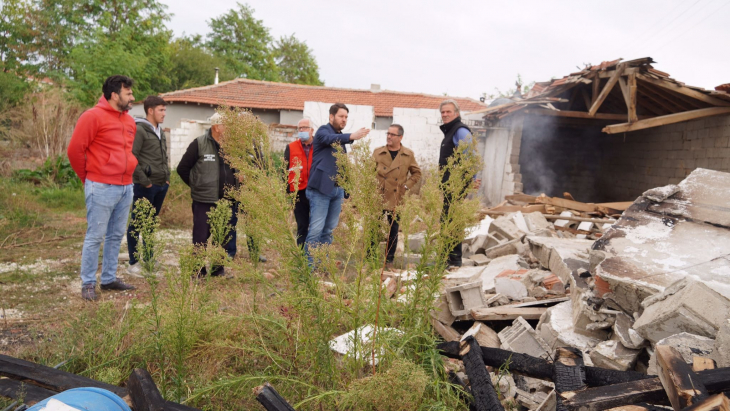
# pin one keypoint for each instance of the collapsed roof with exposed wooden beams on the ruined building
(632, 93)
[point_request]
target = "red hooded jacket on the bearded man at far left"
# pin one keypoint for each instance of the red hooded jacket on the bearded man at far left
(101, 145)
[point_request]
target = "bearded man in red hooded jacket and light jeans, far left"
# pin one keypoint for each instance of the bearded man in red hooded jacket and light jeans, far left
(100, 153)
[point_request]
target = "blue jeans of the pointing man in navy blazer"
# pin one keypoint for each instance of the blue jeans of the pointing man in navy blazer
(324, 214)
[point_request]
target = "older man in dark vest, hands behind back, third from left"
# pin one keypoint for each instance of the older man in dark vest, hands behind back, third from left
(209, 176)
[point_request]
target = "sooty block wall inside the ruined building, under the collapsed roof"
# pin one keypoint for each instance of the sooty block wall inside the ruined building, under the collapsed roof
(634, 162)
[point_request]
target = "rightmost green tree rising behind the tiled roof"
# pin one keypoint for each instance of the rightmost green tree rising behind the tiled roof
(296, 62)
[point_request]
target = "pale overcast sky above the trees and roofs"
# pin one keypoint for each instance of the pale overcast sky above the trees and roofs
(465, 48)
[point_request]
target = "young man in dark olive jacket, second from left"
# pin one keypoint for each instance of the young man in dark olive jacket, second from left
(152, 175)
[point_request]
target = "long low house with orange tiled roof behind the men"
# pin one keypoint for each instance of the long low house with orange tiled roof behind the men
(282, 105)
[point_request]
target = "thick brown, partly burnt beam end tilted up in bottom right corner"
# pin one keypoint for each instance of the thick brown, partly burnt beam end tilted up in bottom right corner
(682, 385)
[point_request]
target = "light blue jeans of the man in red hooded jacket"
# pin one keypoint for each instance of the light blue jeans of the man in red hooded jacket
(107, 210)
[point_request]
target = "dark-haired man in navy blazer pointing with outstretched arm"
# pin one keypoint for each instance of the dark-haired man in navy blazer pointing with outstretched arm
(325, 197)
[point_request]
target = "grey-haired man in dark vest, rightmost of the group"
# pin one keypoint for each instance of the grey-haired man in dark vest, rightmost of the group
(455, 133)
